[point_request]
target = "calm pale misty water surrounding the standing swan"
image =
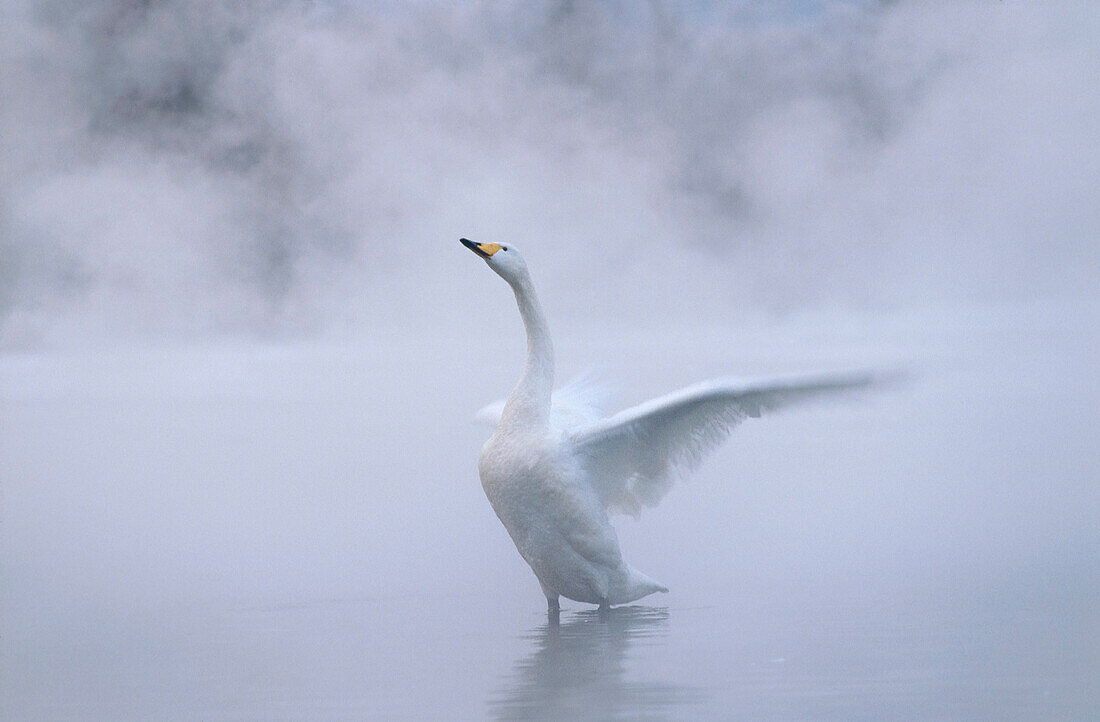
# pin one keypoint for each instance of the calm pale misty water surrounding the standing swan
(266, 531)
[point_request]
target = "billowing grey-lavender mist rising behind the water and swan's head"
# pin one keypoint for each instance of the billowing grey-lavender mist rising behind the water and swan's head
(181, 169)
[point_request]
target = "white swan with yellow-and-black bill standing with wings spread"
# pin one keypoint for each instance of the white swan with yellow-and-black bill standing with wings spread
(554, 469)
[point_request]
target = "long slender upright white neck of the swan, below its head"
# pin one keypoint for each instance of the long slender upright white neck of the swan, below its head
(530, 404)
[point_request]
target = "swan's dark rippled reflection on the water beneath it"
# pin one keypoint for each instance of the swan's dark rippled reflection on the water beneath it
(578, 669)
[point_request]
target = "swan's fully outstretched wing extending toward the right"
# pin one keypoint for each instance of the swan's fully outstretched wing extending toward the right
(634, 456)
